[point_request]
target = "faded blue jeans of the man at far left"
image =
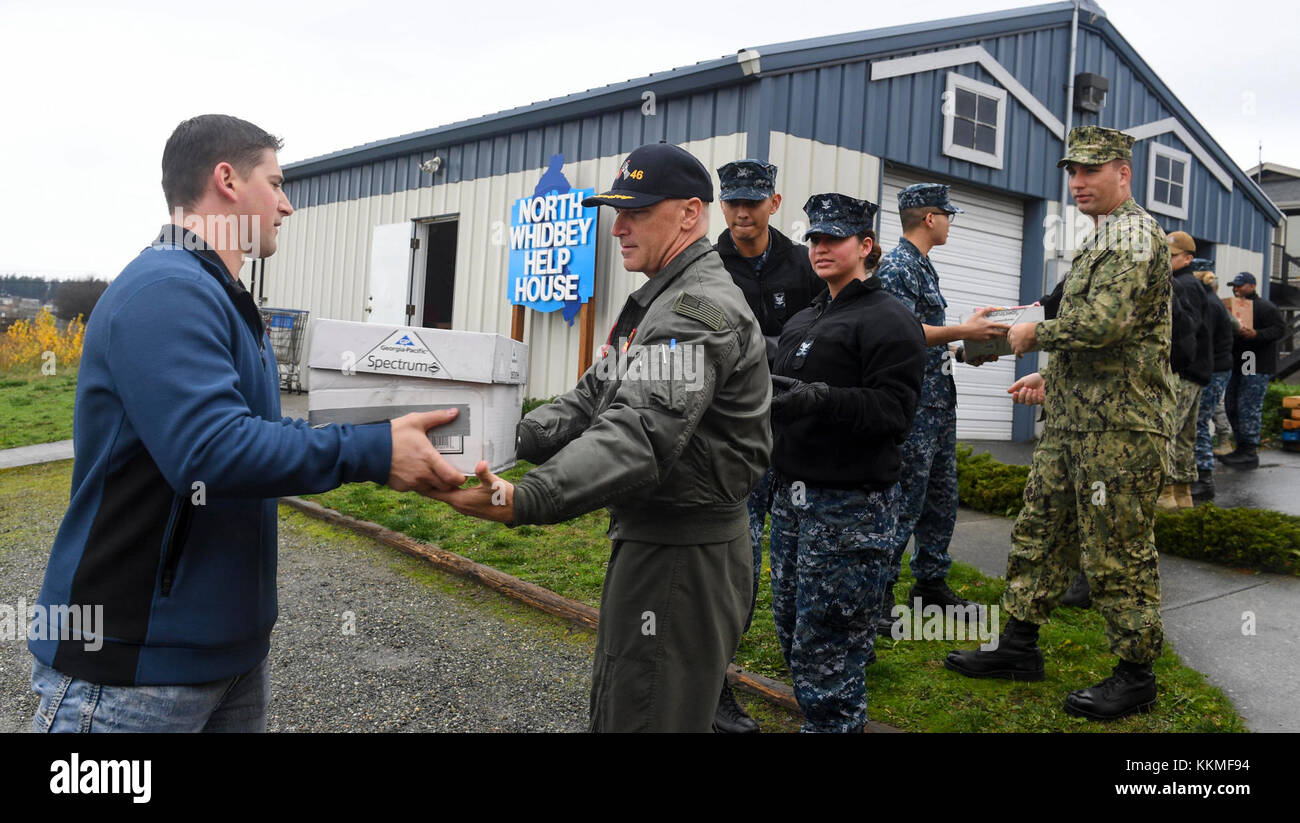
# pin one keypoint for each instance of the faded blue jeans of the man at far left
(73, 705)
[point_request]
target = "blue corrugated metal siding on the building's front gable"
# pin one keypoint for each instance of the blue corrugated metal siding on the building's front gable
(902, 120)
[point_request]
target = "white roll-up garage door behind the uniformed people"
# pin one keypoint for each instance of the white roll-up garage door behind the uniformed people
(980, 266)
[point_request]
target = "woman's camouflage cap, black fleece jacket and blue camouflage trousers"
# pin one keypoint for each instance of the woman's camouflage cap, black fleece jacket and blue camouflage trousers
(833, 535)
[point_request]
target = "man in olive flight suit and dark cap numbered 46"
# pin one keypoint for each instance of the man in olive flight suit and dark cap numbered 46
(670, 431)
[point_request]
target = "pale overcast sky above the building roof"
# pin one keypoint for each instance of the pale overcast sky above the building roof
(90, 92)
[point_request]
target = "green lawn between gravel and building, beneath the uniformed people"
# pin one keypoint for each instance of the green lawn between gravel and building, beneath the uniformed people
(908, 687)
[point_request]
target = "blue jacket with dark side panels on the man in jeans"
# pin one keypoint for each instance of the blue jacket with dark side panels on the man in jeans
(180, 457)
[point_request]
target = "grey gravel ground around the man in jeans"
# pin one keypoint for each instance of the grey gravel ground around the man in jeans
(426, 653)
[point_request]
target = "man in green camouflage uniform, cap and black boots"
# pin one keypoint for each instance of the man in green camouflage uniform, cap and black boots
(1098, 470)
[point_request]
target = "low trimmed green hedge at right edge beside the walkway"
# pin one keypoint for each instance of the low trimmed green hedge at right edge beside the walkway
(1254, 538)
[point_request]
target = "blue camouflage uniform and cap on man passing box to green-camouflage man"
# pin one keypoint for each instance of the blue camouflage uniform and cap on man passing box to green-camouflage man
(928, 506)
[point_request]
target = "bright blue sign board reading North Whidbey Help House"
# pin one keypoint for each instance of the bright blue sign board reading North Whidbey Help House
(553, 246)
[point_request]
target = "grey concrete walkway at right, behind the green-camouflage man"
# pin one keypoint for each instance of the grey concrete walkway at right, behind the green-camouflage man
(1206, 607)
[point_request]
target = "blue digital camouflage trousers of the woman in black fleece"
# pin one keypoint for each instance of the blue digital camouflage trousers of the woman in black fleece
(830, 552)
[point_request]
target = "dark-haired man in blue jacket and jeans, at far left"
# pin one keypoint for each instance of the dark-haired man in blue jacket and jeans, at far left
(181, 454)
